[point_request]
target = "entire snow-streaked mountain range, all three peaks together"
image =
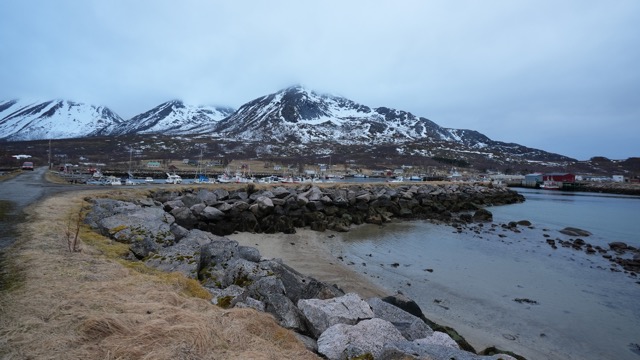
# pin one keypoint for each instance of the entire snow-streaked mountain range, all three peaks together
(297, 117)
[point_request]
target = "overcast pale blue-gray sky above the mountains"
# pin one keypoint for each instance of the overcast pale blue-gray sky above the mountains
(561, 76)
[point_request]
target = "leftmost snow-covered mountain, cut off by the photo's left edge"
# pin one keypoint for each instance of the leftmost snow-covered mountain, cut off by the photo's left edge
(54, 119)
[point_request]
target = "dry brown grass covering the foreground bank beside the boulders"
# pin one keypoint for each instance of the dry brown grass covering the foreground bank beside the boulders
(86, 305)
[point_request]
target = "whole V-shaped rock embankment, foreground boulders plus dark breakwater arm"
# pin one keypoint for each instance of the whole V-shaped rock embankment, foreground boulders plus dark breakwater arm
(328, 321)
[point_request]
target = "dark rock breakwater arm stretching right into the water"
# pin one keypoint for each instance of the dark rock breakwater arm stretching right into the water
(281, 209)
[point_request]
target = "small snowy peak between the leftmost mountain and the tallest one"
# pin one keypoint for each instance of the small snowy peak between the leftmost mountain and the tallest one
(172, 118)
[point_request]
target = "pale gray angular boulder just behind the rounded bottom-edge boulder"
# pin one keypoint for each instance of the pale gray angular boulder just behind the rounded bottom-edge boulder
(322, 314)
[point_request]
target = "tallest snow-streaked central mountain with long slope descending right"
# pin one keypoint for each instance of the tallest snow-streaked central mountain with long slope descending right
(297, 116)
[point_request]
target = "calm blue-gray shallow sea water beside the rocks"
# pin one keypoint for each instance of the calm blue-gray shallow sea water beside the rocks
(576, 308)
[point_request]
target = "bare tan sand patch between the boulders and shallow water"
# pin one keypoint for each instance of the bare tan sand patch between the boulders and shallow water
(309, 252)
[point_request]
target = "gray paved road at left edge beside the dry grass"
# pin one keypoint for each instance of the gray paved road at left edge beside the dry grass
(18, 193)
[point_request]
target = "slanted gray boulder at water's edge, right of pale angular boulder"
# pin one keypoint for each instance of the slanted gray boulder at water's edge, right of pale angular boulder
(411, 327)
